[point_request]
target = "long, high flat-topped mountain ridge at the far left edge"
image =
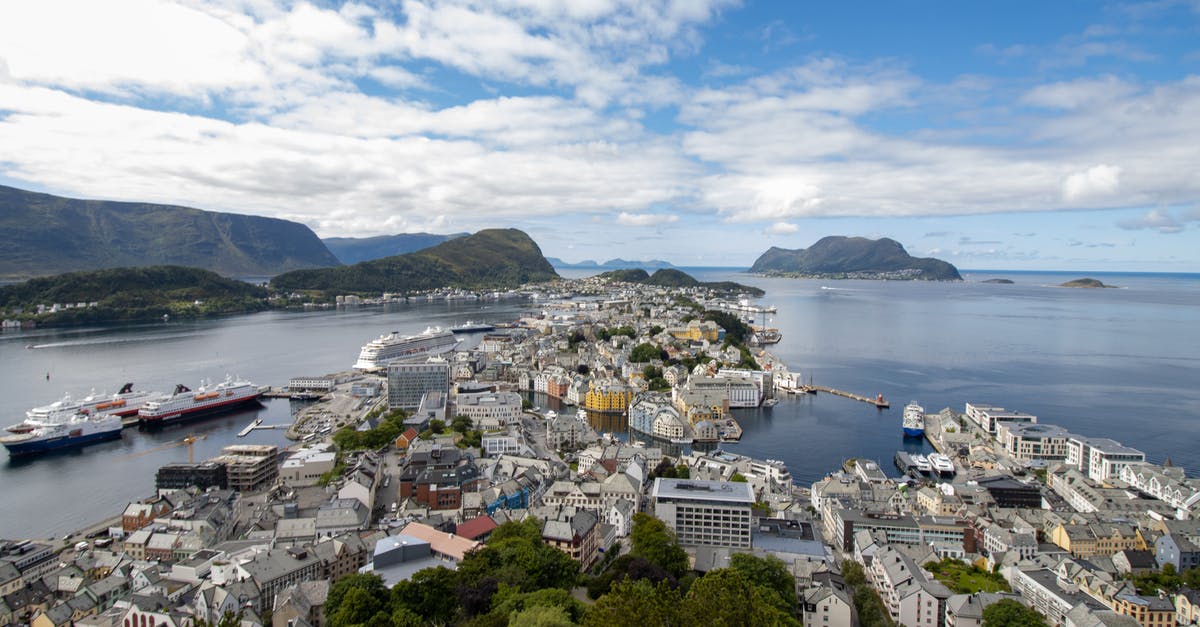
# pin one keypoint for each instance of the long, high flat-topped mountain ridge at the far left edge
(49, 235)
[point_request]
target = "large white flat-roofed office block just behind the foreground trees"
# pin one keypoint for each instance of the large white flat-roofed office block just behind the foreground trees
(706, 513)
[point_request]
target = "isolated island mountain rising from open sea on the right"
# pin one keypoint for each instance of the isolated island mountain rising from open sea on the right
(842, 258)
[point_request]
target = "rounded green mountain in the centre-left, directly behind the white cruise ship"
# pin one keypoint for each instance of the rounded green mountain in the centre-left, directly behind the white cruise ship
(493, 259)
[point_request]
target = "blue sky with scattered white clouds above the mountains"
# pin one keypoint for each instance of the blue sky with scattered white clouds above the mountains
(995, 135)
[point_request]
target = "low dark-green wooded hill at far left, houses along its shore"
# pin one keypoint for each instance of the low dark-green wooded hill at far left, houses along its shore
(130, 294)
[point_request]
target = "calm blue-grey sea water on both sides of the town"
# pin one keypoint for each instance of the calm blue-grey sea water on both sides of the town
(1109, 363)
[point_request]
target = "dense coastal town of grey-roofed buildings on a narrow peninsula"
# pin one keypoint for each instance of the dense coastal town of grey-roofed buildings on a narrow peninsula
(417, 465)
